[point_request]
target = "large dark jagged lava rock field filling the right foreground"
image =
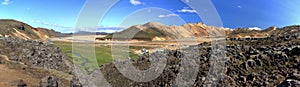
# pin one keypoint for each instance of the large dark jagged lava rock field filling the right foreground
(249, 62)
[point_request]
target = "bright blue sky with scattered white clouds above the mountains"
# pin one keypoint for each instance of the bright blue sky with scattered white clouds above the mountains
(61, 15)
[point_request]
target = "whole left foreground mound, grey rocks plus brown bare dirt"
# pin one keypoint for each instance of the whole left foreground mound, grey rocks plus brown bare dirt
(28, 63)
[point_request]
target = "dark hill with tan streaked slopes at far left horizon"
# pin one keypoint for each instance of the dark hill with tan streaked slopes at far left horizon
(17, 29)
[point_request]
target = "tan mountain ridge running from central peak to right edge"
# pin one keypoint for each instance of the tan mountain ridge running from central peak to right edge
(154, 31)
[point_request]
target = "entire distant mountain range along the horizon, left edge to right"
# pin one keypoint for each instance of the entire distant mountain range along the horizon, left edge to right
(151, 31)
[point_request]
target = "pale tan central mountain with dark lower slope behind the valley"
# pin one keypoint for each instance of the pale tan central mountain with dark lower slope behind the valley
(155, 31)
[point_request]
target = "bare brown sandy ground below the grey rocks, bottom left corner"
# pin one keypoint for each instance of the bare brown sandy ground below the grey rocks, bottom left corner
(11, 73)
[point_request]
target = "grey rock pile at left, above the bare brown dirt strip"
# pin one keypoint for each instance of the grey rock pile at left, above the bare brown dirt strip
(34, 53)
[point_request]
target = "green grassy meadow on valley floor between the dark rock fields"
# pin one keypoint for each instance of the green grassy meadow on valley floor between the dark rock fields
(102, 54)
